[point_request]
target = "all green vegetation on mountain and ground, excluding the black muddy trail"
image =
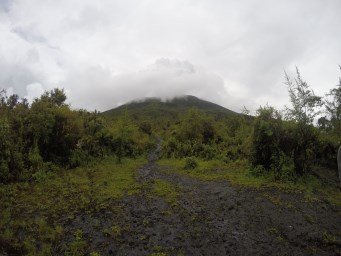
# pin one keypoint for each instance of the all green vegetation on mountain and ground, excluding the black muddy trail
(57, 163)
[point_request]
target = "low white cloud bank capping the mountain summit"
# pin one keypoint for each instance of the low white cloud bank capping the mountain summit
(166, 78)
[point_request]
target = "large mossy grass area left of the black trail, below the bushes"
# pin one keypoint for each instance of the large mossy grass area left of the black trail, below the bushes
(30, 212)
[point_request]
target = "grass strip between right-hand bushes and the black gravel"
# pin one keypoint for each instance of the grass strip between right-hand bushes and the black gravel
(237, 173)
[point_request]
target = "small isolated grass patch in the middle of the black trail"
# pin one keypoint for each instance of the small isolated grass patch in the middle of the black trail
(166, 190)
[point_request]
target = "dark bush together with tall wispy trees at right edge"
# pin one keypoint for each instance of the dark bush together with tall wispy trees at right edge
(293, 147)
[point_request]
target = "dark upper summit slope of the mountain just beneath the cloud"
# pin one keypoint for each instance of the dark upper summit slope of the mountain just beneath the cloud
(154, 108)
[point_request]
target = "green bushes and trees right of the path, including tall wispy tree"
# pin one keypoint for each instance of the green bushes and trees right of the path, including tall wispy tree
(286, 143)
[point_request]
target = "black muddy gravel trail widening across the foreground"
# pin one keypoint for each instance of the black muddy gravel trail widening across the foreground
(212, 218)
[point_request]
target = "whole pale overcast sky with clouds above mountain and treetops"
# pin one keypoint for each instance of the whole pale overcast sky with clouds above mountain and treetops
(105, 53)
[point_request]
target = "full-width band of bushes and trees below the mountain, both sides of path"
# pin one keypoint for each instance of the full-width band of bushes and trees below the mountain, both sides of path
(47, 135)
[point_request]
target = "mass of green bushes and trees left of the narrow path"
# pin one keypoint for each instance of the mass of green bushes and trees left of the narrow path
(32, 137)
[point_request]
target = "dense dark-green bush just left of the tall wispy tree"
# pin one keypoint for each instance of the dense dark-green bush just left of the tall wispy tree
(284, 148)
